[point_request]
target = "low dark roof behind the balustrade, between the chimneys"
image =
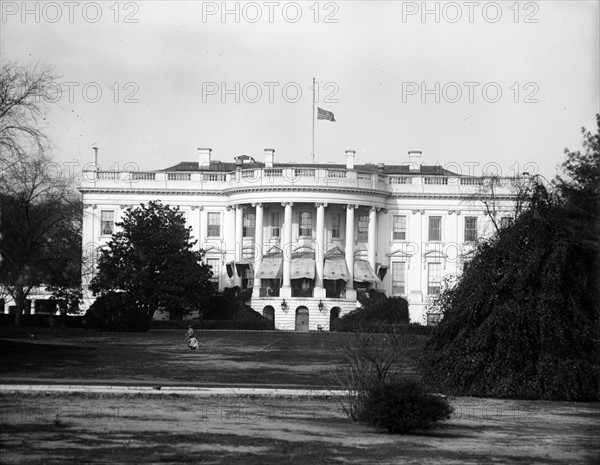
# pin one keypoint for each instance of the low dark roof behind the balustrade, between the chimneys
(432, 170)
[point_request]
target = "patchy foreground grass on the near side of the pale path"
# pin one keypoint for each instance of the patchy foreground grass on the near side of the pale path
(233, 430)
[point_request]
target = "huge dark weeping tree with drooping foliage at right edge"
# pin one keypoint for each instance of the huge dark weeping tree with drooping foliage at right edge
(523, 319)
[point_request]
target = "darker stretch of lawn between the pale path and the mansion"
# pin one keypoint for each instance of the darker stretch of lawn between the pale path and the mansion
(160, 357)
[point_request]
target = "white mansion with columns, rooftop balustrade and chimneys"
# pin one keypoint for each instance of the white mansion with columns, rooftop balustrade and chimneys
(307, 237)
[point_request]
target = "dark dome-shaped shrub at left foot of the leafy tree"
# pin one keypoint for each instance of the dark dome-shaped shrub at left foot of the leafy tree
(116, 311)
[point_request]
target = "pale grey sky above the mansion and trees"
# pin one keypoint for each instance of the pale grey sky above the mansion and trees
(478, 87)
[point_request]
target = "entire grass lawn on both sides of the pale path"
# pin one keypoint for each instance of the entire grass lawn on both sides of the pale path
(49, 428)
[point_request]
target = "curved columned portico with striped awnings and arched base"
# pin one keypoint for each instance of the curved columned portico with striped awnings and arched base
(302, 254)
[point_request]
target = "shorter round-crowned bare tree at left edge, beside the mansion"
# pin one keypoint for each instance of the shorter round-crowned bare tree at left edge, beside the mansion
(41, 228)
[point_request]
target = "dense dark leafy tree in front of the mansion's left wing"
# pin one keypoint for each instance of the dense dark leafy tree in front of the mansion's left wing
(151, 259)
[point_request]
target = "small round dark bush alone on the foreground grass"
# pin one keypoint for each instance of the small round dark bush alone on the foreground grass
(403, 406)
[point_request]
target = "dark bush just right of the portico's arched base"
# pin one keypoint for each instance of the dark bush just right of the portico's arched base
(382, 315)
